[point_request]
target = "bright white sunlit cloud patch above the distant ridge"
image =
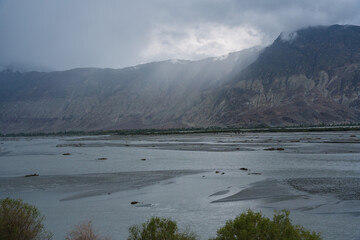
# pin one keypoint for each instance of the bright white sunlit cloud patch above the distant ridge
(196, 42)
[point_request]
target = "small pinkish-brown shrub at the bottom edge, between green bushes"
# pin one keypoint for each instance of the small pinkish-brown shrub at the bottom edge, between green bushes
(84, 231)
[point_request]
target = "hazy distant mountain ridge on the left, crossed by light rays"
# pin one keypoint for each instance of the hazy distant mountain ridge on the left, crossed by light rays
(154, 95)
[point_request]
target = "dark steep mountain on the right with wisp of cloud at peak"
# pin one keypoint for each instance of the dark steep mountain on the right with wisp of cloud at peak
(311, 77)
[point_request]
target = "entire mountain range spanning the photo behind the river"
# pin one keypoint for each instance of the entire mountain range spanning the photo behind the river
(310, 76)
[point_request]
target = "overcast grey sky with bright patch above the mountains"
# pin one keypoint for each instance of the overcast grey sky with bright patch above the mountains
(65, 34)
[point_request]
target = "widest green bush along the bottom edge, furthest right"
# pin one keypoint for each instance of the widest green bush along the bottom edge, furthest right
(253, 226)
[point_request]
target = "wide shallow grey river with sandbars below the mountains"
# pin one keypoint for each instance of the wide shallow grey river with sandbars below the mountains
(66, 197)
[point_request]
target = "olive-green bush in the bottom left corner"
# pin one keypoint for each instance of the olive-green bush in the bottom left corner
(21, 221)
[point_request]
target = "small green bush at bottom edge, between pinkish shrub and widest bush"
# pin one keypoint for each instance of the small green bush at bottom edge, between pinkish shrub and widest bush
(159, 229)
